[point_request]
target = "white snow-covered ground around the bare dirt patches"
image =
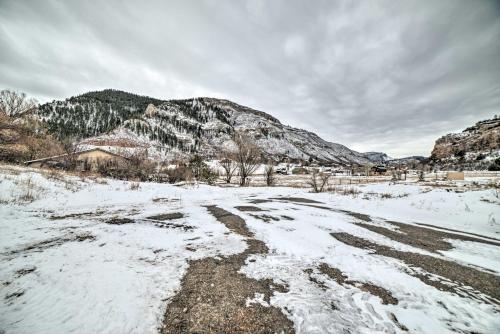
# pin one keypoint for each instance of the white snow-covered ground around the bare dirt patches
(65, 270)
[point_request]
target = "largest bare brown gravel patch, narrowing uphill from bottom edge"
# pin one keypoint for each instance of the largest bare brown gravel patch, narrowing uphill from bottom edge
(214, 294)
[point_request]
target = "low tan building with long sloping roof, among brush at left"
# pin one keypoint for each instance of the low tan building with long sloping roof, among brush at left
(86, 160)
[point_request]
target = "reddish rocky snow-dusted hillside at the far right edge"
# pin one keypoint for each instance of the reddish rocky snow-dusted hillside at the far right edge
(477, 147)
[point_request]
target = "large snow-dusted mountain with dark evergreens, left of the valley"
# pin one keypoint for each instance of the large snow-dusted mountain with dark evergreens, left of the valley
(176, 128)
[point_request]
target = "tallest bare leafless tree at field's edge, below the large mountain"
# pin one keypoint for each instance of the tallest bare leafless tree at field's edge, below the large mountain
(247, 157)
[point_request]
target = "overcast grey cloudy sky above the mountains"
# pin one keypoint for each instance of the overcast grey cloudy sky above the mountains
(388, 76)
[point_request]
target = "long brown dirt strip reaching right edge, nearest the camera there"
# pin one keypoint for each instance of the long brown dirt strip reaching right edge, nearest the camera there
(454, 277)
